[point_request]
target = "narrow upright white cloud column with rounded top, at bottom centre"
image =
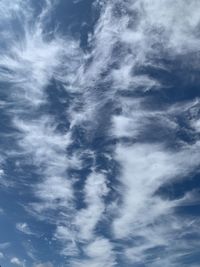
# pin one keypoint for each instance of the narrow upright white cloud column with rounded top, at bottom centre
(81, 226)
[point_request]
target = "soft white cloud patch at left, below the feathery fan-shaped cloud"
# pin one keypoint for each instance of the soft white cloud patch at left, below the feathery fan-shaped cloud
(48, 150)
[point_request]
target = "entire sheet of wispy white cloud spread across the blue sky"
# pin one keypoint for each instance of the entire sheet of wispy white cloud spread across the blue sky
(128, 38)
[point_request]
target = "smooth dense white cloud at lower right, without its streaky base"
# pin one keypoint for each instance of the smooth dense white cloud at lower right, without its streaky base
(144, 169)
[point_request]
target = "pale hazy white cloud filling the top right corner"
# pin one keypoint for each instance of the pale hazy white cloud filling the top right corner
(180, 30)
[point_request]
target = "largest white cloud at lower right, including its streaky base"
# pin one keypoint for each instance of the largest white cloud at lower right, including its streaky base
(143, 214)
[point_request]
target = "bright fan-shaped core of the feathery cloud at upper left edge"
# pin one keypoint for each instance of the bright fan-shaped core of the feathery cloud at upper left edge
(30, 72)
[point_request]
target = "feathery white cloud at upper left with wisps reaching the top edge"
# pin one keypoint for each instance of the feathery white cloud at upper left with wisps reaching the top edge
(30, 62)
